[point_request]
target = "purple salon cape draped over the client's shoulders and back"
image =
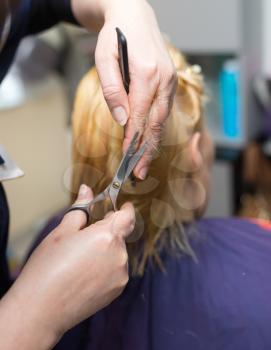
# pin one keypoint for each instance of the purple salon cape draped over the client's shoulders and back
(220, 302)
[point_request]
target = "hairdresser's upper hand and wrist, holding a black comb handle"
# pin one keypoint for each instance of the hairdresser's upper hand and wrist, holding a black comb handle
(153, 76)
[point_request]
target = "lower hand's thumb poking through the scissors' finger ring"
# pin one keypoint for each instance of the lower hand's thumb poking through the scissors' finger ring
(77, 219)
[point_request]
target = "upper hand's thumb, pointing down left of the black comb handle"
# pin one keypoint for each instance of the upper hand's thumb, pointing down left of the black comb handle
(106, 59)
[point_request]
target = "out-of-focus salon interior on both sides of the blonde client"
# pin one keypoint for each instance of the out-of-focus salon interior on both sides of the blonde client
(230, 40)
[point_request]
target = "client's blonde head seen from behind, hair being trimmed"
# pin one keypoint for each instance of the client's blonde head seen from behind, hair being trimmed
(176, 189)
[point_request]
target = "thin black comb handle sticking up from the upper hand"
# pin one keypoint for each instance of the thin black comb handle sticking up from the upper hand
(123, 59)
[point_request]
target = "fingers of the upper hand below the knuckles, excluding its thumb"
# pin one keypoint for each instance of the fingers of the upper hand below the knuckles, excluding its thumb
(151, 97)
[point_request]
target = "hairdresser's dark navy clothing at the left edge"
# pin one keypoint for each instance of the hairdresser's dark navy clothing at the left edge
(30, 17)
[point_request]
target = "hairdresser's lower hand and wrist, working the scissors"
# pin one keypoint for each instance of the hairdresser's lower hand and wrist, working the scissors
(72, 274)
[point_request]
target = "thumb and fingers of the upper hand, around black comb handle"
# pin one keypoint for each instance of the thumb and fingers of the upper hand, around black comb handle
(152, 88)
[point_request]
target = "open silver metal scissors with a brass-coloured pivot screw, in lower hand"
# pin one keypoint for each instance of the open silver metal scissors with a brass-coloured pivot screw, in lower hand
(126, 166)
